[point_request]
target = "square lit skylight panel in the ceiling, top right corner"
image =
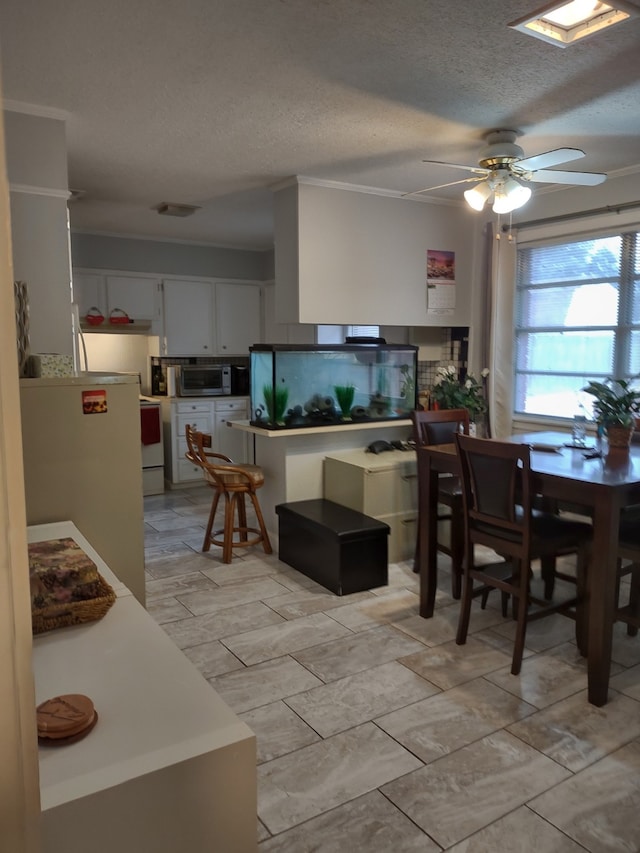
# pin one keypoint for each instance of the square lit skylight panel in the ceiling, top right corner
(564, 23)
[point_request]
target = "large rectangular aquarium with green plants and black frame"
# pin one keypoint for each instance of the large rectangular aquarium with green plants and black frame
(296, 386)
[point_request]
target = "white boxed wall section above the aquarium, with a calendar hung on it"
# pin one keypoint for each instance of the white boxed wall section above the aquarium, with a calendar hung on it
(354, 257)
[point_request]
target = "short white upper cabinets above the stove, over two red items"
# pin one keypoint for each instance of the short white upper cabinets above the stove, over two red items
(137, 295)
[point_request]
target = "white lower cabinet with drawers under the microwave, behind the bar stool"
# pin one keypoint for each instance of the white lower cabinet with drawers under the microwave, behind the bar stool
(204, 415)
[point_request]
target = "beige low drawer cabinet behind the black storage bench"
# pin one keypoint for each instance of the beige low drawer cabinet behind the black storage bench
(384, 486)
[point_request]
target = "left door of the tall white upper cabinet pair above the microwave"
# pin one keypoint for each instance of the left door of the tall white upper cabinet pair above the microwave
(188, 317)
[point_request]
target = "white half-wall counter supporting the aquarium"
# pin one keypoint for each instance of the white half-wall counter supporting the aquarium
(293, 459)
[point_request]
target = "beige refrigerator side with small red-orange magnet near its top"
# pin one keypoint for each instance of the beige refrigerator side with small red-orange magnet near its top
(83, 463)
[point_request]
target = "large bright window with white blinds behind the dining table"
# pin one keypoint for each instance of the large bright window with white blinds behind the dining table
(577, 318)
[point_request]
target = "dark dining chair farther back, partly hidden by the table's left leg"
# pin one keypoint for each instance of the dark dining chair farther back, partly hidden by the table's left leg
(440, 427)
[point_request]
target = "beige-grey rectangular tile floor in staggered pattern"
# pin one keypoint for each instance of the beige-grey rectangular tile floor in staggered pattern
(375, 731)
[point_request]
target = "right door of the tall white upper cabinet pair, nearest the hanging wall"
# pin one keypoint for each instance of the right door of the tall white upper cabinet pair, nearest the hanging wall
(238, 324)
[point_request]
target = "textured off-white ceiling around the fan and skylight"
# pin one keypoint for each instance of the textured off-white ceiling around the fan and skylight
(211, 102)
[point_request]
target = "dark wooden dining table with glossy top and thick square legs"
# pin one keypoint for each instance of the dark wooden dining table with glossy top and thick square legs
(598, 482)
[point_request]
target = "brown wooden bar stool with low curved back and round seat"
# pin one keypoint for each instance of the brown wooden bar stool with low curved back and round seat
(232, 483)
